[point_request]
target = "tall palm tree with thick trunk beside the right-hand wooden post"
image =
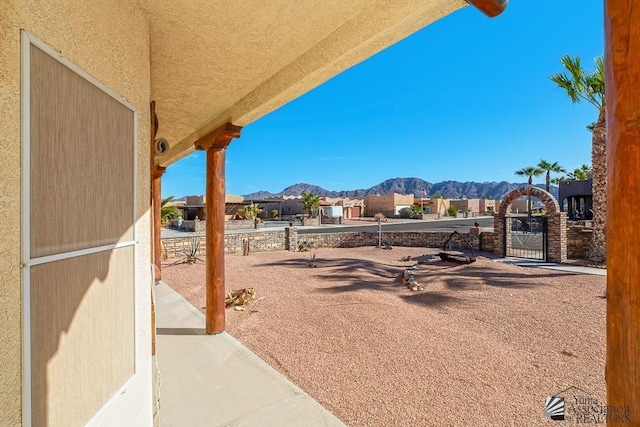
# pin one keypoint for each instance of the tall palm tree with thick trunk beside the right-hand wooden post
(581, 85)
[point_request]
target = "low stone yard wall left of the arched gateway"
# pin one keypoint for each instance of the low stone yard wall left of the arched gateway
(289, 239)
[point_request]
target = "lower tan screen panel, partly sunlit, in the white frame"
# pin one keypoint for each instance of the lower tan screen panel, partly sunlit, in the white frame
(82, 335)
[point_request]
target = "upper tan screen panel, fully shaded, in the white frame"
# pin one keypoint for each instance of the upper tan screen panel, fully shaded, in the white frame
(82, 154)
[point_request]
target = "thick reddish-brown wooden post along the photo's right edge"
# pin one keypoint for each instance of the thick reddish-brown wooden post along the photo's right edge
(622, 73)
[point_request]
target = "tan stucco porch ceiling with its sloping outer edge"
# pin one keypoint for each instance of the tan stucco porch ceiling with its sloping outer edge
(215, 61)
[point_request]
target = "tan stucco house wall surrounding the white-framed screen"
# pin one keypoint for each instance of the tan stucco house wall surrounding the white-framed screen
(110, 41)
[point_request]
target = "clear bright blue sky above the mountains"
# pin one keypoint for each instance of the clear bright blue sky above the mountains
(467, 98)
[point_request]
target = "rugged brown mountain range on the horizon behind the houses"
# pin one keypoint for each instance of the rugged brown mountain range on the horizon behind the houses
(416, 186)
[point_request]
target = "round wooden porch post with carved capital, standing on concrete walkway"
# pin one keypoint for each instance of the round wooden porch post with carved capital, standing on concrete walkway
(215, 145)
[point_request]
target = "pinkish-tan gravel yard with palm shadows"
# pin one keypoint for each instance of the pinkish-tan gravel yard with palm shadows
(483, 344)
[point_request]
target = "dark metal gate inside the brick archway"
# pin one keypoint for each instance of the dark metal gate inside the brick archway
(525, 236)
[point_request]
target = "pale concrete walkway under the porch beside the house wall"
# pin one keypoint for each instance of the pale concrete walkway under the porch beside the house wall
(213, 380)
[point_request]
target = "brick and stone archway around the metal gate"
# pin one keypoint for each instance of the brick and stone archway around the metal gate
(556, 223)
